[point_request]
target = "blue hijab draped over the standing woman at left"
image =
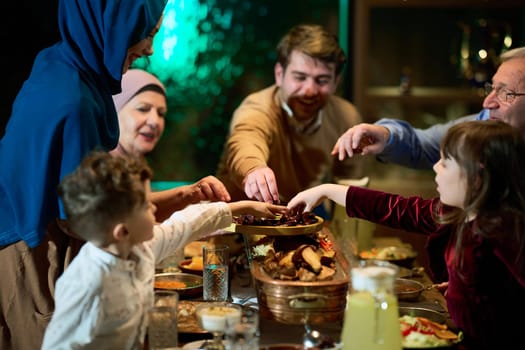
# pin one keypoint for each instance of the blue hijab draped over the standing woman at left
(65, 109)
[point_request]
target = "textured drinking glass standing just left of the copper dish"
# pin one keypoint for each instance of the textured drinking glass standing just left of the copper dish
(215, 272)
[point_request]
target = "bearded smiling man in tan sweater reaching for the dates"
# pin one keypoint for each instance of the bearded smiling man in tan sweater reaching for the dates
(281, 137)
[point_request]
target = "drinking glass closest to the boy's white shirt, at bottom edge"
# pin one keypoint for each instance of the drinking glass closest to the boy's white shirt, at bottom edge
(162, 321)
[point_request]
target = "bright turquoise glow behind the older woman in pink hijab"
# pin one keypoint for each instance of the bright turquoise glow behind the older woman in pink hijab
(192, 55)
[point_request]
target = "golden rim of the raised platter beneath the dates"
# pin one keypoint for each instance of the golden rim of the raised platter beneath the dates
(279, 230)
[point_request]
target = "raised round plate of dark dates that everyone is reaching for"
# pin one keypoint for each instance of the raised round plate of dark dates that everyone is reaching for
(300, 224)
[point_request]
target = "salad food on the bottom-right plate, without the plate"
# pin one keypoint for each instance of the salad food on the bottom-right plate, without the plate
(420, 332)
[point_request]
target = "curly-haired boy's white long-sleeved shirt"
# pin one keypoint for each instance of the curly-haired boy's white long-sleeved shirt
(101, 300)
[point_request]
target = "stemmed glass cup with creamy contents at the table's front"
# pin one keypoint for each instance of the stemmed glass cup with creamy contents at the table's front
(214, 317)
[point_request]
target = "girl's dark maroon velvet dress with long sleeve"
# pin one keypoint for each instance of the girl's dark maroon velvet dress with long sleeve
(486, 295)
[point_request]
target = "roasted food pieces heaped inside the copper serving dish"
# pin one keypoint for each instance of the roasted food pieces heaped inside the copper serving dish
(305, 258)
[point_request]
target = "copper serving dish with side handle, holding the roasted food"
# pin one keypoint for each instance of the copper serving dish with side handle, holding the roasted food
(289, 301)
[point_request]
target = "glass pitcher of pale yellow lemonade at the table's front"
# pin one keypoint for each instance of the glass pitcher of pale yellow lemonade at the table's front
(371, 317)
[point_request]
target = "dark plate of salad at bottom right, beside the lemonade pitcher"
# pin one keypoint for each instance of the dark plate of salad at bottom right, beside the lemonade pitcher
(426, 329)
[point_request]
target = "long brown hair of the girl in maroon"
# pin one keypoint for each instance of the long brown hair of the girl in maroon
(492, 157)
